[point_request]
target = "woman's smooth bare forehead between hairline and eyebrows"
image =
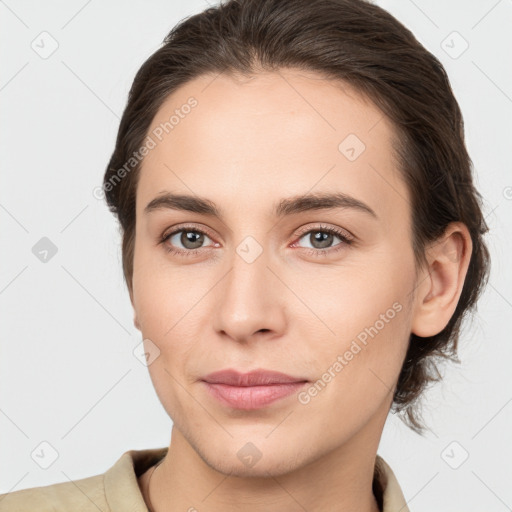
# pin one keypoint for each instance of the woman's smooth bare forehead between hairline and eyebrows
(269, 135)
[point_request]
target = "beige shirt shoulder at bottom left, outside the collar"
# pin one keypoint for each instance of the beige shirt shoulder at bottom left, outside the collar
(78, 495)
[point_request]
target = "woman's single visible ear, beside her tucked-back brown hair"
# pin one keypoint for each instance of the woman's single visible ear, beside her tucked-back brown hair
(440, 285)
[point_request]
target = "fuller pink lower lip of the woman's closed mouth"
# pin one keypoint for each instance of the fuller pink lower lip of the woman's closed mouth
(252, 397)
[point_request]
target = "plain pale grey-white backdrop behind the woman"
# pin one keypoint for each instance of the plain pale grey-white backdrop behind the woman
(70, 385)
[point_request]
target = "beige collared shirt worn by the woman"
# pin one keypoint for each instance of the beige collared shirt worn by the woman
(117, 490)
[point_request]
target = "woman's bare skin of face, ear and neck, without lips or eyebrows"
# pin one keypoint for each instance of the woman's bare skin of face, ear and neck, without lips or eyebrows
(248, 144)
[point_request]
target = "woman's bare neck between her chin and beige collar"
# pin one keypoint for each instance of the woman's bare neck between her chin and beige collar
(342, 481)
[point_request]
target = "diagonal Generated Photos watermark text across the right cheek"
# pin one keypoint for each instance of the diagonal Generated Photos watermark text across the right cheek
(305, 396)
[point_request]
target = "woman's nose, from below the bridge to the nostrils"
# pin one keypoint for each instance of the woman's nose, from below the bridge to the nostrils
(251, 300)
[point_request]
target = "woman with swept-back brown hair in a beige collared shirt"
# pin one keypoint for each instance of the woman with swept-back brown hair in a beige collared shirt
(301, 236)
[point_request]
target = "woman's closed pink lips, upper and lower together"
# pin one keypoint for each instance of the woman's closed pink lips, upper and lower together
(252, 390)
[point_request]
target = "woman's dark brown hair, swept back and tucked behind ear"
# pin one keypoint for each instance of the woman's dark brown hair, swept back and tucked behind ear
(351, 42)
